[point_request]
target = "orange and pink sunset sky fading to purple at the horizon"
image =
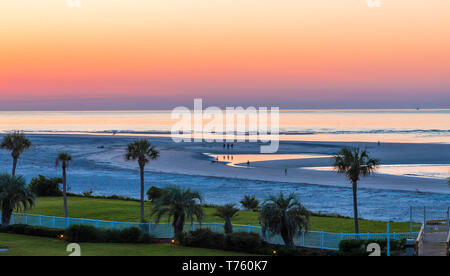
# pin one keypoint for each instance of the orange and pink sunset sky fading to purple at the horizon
(158, 54)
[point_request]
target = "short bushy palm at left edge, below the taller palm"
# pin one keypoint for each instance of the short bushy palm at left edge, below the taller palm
(14, 195)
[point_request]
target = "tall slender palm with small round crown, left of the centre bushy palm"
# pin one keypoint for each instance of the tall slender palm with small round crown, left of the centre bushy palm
(142, 151)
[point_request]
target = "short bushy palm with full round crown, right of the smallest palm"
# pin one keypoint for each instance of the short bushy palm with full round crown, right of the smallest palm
(284, 216)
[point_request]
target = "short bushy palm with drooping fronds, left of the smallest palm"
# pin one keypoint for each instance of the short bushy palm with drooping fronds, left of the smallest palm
(181, 204)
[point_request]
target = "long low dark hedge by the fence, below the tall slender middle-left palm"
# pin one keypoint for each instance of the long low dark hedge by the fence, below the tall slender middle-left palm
(87, 233)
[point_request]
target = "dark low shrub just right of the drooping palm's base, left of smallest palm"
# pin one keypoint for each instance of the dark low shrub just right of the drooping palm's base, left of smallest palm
(204, 238)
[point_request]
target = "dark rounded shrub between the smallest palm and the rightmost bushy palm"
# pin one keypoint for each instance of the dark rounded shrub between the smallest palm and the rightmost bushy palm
(245, 242)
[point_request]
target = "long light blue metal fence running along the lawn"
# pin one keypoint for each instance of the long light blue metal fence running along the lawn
(309, 239)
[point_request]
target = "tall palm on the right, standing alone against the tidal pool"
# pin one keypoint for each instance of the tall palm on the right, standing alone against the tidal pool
(354, 164)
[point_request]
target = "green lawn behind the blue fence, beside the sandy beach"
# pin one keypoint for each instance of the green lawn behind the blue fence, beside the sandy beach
(128, 211)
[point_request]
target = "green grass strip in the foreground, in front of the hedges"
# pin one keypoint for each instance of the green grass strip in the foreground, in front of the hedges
(21, 245)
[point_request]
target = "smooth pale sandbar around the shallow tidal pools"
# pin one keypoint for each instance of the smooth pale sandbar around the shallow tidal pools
(189, 158)
